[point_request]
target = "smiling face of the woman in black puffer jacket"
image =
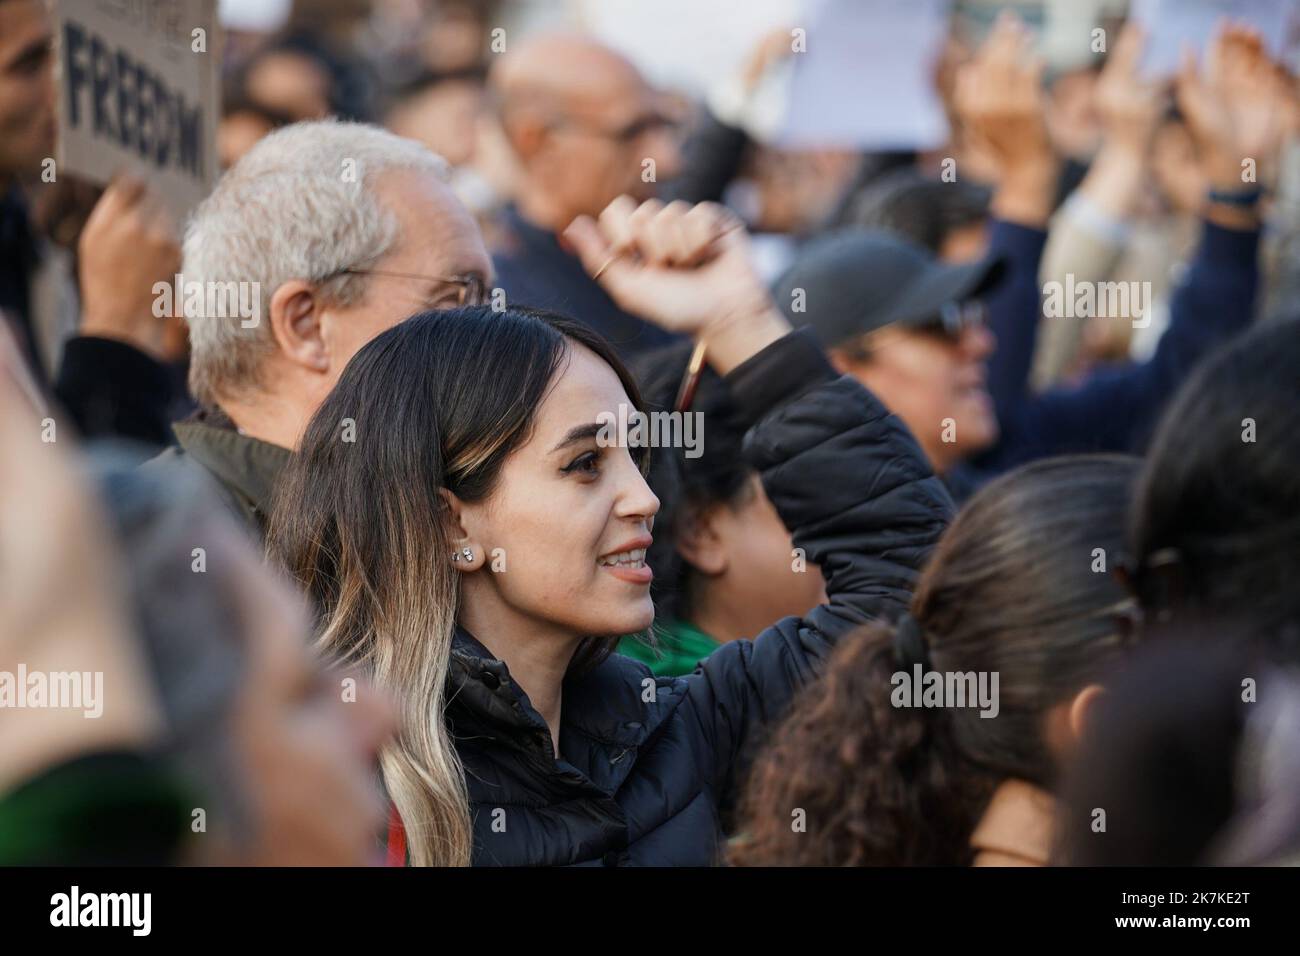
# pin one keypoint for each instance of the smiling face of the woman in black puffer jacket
(554, 537)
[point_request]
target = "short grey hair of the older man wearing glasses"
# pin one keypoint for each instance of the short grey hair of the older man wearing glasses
(298, 206)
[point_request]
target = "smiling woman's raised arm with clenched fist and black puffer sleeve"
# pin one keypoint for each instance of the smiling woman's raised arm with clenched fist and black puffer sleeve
(847, 478)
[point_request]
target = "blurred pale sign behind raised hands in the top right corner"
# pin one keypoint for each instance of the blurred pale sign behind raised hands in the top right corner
(1173, 24)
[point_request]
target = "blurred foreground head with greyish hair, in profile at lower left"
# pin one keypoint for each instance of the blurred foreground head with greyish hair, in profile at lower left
(278, 754)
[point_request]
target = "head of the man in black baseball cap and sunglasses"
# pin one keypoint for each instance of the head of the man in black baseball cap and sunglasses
(908, 327)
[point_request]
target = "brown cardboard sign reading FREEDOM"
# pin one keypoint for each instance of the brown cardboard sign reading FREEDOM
(140, 92)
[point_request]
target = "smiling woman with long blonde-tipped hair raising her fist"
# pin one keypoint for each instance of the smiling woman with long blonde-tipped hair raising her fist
(473, 534)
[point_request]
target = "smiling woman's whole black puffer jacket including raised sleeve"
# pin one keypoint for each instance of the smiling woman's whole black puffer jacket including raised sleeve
(651, 765)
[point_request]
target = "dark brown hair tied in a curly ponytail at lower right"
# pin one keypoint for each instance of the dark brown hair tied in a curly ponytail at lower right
(1011, 589)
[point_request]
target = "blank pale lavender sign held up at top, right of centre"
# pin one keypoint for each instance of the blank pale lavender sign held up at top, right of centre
(868, 77)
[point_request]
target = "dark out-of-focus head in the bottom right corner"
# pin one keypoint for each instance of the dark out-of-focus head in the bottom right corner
(1193, 759)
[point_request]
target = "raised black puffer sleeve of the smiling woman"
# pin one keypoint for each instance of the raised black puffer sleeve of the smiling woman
(860, 499)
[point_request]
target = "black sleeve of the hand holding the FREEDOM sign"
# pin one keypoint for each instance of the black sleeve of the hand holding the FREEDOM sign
(114, 391)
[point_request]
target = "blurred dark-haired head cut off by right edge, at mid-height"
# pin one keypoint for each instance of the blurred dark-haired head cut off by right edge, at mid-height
(1216, 522)
